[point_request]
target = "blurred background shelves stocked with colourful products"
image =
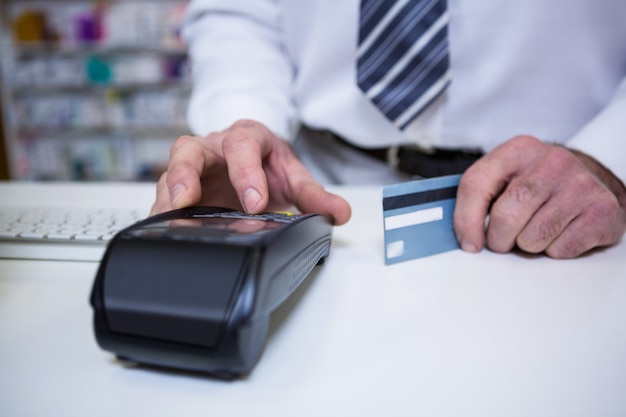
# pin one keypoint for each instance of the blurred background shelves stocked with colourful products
(91, 90)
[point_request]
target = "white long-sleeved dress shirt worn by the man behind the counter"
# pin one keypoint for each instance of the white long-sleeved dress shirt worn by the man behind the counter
(554, 69)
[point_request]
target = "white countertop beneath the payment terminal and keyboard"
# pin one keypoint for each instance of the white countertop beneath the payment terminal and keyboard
(454, 334)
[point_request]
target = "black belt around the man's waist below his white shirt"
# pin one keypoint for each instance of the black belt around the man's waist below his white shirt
(423, 162)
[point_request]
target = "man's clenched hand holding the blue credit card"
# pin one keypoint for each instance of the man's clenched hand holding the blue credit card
(540, 198)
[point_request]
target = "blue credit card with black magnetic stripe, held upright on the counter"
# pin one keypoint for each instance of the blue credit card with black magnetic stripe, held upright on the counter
(417, 218)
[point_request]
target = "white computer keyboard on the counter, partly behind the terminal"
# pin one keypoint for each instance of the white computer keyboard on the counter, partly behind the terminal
(61, 233)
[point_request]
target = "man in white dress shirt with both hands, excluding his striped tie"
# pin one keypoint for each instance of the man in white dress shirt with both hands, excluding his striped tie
(540, 87)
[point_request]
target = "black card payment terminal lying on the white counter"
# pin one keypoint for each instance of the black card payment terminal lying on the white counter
(193, 288)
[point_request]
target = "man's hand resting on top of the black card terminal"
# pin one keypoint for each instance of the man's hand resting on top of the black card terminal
(244, 167)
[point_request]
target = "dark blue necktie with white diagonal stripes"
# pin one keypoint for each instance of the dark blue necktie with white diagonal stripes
(403, 62)
